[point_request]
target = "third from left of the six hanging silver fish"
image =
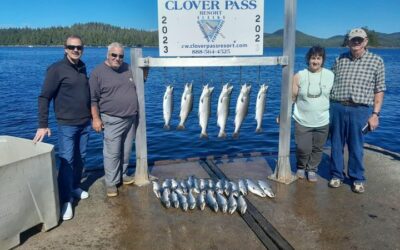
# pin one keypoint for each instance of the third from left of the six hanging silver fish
(205, 109)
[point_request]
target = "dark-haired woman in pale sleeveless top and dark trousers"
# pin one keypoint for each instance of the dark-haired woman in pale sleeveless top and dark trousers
(311, 89)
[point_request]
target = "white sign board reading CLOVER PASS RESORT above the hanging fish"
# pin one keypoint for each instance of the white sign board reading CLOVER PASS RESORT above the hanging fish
(210, 27)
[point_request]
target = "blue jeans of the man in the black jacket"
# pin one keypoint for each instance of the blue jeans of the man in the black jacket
(72, 141)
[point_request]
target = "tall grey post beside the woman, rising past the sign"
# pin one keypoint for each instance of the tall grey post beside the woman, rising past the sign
(283, 172)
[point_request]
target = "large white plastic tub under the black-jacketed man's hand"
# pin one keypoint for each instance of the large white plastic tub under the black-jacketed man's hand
(28, 188)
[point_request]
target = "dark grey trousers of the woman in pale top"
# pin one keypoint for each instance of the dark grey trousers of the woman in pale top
(309, 145)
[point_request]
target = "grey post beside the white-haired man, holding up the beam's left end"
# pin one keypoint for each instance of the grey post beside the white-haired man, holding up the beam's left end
(141, 173)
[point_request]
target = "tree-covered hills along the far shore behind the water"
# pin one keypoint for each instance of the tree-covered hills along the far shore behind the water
(99, 34)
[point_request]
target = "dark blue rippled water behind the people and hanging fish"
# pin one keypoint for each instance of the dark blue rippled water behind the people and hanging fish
(22, 71)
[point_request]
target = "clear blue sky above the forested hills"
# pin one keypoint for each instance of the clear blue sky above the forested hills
(321, 18)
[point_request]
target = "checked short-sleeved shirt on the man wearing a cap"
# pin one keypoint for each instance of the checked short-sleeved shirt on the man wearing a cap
(357, 80)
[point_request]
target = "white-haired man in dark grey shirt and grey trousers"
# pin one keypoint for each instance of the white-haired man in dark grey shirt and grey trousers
(114, 108)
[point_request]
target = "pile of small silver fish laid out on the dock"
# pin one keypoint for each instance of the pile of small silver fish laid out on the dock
(227, 196)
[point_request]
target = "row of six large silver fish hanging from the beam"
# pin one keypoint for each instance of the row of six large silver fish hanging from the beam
(241, 110)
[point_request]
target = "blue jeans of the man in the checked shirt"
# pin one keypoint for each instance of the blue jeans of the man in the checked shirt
(346, 128)
